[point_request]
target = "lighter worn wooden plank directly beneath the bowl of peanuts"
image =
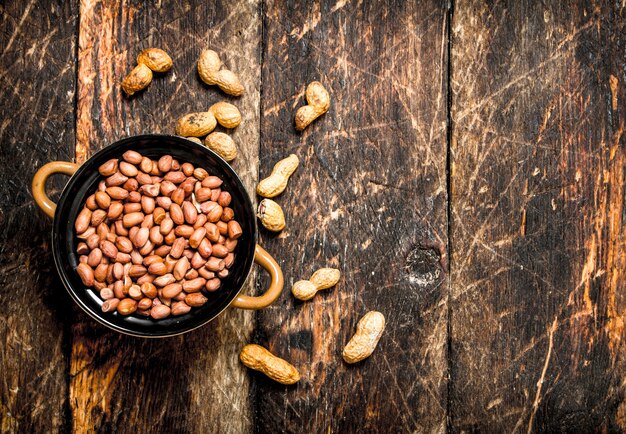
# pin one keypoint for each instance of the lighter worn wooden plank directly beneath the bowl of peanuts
(192, 383)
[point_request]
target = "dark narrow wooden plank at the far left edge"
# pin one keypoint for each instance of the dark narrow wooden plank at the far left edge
(37, 74)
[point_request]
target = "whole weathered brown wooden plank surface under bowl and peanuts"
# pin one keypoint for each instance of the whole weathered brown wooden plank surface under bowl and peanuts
(468, 181)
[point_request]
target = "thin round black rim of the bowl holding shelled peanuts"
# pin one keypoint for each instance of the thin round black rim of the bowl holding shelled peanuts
(60, 261)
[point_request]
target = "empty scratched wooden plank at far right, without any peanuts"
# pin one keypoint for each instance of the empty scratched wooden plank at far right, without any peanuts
(537, 223)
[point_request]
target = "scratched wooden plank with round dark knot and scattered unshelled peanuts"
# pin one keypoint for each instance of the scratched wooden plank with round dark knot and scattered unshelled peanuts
(369, 198)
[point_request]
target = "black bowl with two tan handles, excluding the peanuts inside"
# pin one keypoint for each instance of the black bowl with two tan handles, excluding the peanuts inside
(84, 182)
